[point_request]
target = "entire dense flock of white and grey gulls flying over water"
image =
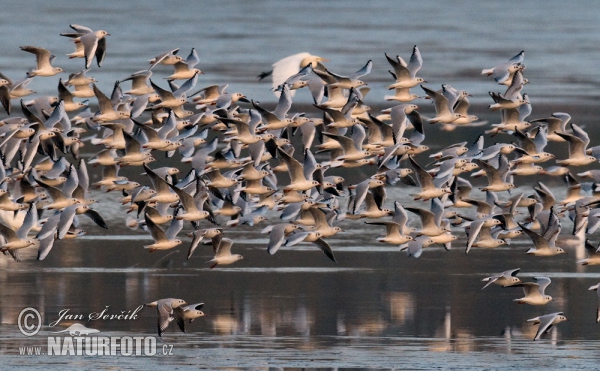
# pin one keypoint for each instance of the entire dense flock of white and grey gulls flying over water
(231, 150)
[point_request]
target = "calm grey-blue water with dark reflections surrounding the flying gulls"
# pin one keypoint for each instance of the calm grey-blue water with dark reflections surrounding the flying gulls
(376, 308)
